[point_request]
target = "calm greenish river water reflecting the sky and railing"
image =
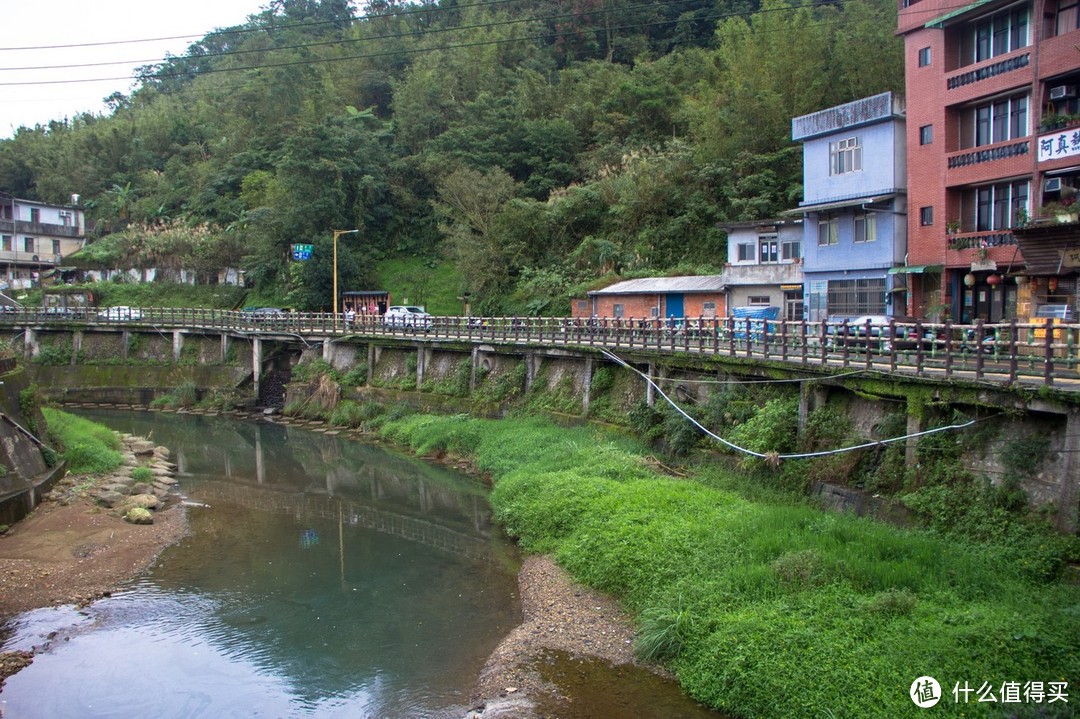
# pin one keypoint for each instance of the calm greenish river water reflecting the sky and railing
(323, 578)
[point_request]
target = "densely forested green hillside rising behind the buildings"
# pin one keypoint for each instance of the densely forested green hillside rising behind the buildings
(519, 151)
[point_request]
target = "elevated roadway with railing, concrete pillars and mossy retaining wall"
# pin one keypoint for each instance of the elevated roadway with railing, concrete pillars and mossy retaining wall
(1021, 378)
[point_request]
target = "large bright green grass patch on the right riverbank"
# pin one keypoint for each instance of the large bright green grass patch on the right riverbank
(763, 608)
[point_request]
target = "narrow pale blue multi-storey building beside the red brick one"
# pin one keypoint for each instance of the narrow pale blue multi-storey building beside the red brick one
(855, 209)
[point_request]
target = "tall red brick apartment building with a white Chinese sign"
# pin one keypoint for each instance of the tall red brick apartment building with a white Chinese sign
(993, 145)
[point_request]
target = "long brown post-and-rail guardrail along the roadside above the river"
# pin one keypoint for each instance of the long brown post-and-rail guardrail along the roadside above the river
(1045, 352)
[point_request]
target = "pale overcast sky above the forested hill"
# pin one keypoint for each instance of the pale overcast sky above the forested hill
(47, 24)
